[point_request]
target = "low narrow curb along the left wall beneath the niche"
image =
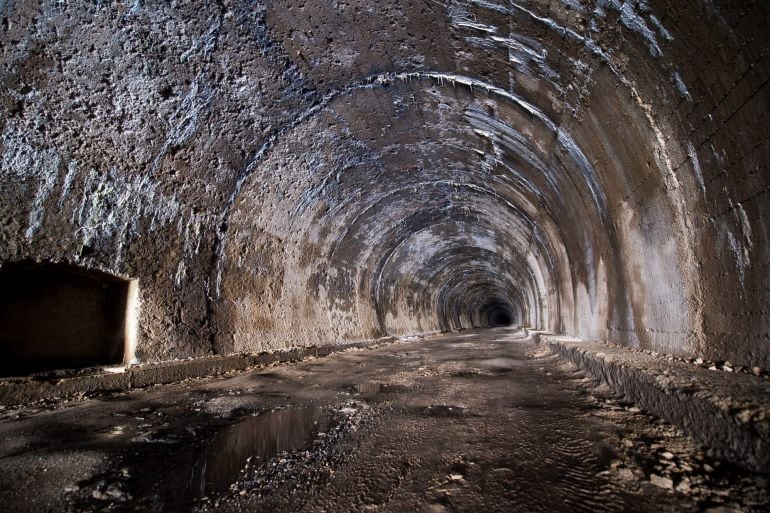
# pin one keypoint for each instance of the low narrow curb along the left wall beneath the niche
(16, 391)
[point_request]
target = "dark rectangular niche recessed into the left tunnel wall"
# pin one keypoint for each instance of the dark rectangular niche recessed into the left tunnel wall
(56, 316)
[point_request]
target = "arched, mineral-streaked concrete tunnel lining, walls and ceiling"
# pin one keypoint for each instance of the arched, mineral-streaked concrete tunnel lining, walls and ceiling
(293, 173)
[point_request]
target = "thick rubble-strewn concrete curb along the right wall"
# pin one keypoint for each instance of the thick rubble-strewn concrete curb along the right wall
(728, 413)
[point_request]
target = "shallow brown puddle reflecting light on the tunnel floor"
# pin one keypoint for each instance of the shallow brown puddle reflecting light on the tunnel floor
(260, 437)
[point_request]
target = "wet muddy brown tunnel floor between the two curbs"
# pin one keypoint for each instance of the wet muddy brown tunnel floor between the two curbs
(478, 421)
